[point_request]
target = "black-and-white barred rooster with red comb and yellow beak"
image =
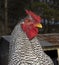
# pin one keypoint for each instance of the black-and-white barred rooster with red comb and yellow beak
(24, 46)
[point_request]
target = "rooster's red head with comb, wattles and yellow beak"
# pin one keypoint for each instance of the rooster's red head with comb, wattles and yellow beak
(30, 26)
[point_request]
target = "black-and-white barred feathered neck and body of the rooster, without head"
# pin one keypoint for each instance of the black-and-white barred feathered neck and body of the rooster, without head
(24, 51)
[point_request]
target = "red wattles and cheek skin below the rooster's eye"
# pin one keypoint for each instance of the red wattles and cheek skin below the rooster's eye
(30, 31)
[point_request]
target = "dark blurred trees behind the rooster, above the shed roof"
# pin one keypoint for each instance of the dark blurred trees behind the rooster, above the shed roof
(12, 11)
